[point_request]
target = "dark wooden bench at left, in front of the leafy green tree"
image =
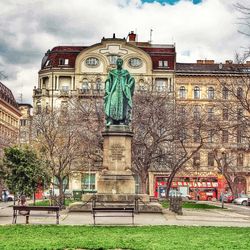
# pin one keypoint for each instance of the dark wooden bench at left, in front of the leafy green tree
(25, 211)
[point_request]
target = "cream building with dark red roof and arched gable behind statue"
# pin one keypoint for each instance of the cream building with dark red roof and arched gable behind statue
(75, 71)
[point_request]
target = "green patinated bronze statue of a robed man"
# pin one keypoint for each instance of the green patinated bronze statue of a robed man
(119, 90)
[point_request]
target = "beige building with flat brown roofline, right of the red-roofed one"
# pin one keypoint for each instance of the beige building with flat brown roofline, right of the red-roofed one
(201, 88)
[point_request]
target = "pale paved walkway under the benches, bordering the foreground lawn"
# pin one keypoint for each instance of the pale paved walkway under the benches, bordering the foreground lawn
(190, 217)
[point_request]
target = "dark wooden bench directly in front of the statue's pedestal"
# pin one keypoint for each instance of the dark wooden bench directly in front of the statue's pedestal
(120, 210)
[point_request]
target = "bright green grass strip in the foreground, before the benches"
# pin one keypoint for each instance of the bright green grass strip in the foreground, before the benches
(126, 237)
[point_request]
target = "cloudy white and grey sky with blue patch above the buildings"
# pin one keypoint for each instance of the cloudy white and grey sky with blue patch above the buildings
(28, 28)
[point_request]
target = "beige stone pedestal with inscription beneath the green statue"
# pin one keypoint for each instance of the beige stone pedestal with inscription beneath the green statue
(116, 178)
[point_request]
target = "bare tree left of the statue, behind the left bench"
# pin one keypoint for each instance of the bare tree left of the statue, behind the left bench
(58, 141)
